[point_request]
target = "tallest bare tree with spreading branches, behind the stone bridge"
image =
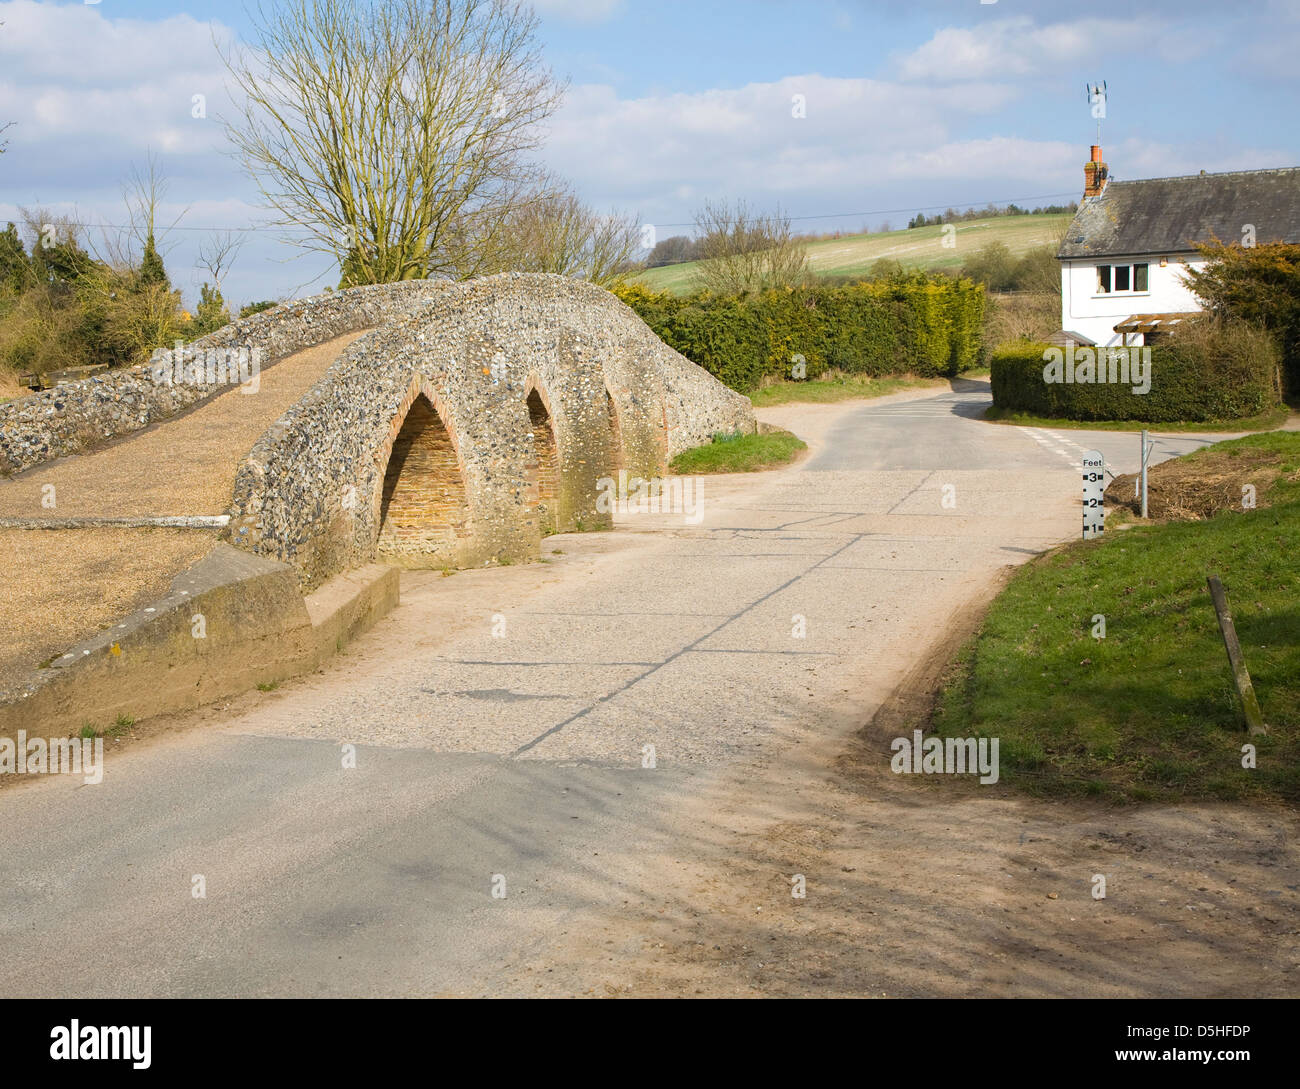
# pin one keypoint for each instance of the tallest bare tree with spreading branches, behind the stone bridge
(392, 133)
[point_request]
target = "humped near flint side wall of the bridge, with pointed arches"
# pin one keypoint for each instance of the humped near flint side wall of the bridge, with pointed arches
(460, 435)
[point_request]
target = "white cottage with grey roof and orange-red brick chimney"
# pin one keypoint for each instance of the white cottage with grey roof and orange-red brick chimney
(1126, 253)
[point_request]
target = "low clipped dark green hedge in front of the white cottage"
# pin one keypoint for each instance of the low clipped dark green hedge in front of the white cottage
(1214, 375)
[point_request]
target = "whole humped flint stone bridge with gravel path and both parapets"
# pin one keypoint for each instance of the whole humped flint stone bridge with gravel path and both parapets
(421, 424)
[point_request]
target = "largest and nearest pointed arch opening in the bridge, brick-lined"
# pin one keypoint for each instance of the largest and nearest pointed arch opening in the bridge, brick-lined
(424, 509)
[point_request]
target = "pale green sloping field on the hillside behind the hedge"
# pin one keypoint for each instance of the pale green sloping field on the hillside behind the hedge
(918, 249)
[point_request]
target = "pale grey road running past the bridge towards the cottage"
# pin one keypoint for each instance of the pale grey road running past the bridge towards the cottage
(501, 722)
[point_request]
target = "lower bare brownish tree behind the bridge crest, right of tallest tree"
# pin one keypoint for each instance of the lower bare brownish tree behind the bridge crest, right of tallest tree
(554, 232)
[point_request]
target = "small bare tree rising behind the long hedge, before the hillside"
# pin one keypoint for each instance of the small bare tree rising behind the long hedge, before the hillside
(747, 251)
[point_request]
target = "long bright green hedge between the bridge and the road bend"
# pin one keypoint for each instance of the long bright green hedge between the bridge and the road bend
(918, 324)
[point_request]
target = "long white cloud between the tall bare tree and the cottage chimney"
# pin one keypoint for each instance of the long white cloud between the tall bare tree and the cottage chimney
(746, 141)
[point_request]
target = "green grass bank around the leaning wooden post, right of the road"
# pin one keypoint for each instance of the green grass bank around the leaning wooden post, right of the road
(1147, 713)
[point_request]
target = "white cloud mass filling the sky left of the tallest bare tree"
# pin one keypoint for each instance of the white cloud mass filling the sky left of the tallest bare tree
(93, 96)
